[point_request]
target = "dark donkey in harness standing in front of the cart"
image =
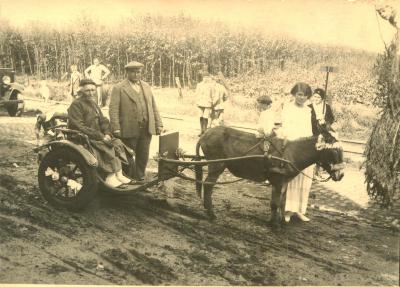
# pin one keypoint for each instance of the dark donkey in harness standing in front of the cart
(285, 161)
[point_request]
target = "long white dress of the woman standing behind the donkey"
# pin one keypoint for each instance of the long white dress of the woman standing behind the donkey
(296, 123)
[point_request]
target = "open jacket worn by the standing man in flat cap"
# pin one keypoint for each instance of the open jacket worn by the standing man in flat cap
(124, 109)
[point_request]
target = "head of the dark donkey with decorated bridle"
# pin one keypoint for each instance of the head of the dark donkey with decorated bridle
(330, 155)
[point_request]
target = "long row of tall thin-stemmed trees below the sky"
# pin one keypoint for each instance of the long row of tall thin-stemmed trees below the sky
(169, 47)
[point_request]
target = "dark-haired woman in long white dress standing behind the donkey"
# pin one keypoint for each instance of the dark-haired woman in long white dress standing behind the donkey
(296, 123)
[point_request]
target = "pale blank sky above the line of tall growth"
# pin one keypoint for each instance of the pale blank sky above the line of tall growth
(350, 23)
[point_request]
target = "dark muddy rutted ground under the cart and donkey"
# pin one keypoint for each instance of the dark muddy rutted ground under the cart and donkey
(161, 236)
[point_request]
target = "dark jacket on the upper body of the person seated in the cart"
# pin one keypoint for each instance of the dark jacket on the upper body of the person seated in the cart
(84, 115)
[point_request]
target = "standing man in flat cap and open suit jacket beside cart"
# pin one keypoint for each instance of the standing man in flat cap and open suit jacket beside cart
(134, 116)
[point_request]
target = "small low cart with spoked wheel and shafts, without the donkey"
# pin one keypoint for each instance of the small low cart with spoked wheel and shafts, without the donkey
(68, 174)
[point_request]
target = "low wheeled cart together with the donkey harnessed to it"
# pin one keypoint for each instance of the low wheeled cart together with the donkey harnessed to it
(68, 174)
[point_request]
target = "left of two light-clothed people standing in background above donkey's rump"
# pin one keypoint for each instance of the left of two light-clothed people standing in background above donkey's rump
(205, 93)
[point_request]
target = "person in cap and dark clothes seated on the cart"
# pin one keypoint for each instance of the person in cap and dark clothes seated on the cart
(85, 116)
